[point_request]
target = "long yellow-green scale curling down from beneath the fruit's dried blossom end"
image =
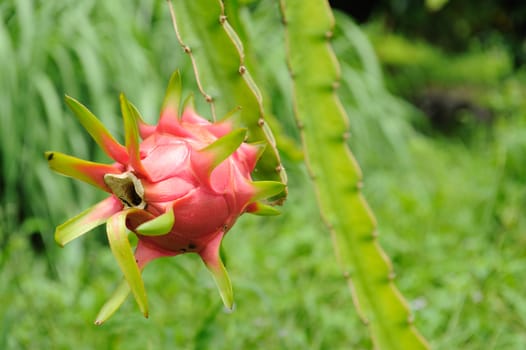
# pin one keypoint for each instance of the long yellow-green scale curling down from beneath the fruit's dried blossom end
(120, 247)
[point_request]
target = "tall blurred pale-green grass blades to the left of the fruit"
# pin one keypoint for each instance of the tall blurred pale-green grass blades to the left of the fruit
(88, 51)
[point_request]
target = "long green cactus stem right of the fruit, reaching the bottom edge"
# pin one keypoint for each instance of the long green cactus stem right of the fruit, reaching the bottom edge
(337, 176)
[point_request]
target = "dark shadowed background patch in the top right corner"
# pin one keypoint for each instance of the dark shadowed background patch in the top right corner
(453, 25)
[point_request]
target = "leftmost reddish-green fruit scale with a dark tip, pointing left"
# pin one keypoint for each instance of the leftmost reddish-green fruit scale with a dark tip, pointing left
(80, 169)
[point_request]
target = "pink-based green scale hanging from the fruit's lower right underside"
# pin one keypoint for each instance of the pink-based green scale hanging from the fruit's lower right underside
(212, 260)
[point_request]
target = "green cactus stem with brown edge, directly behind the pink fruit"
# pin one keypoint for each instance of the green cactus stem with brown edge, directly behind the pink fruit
(218, 61)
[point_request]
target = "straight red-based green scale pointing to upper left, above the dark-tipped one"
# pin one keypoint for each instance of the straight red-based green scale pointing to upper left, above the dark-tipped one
(97, 131)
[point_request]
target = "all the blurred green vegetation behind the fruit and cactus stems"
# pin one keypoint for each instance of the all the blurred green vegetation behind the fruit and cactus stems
(439, 129)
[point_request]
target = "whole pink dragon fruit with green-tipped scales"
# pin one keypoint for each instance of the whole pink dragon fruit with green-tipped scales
(179, 190)
